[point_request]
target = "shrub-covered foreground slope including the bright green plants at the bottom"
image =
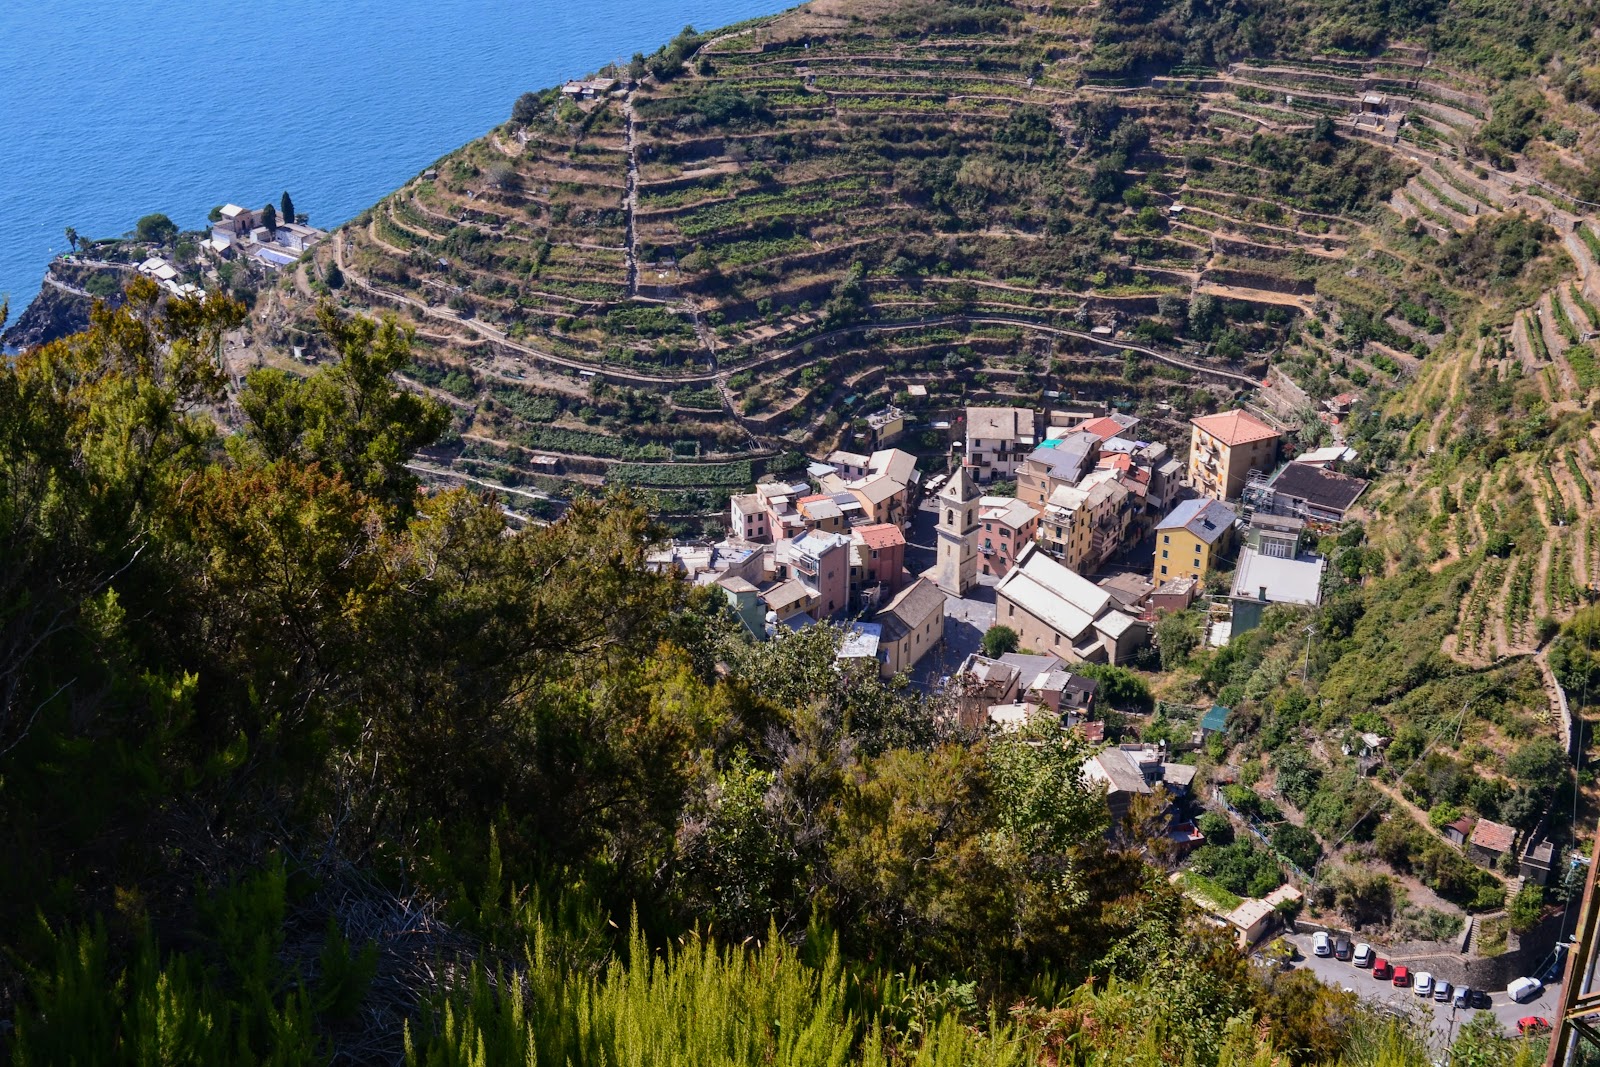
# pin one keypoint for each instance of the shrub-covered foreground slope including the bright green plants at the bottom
(303, 765)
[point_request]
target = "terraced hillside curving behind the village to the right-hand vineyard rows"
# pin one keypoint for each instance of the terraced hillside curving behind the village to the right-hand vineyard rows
(761, 234)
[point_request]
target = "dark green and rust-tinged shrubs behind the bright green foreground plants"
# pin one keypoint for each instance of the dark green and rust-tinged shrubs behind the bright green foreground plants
(223, 650)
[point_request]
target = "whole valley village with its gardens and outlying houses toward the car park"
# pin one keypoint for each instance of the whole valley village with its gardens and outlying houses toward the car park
(1026, 580)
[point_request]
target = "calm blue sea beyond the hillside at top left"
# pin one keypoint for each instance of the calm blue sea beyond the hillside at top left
(113, 111)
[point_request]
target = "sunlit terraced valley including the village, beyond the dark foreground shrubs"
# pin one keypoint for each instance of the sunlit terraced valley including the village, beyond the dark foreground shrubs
(1233, 426)
